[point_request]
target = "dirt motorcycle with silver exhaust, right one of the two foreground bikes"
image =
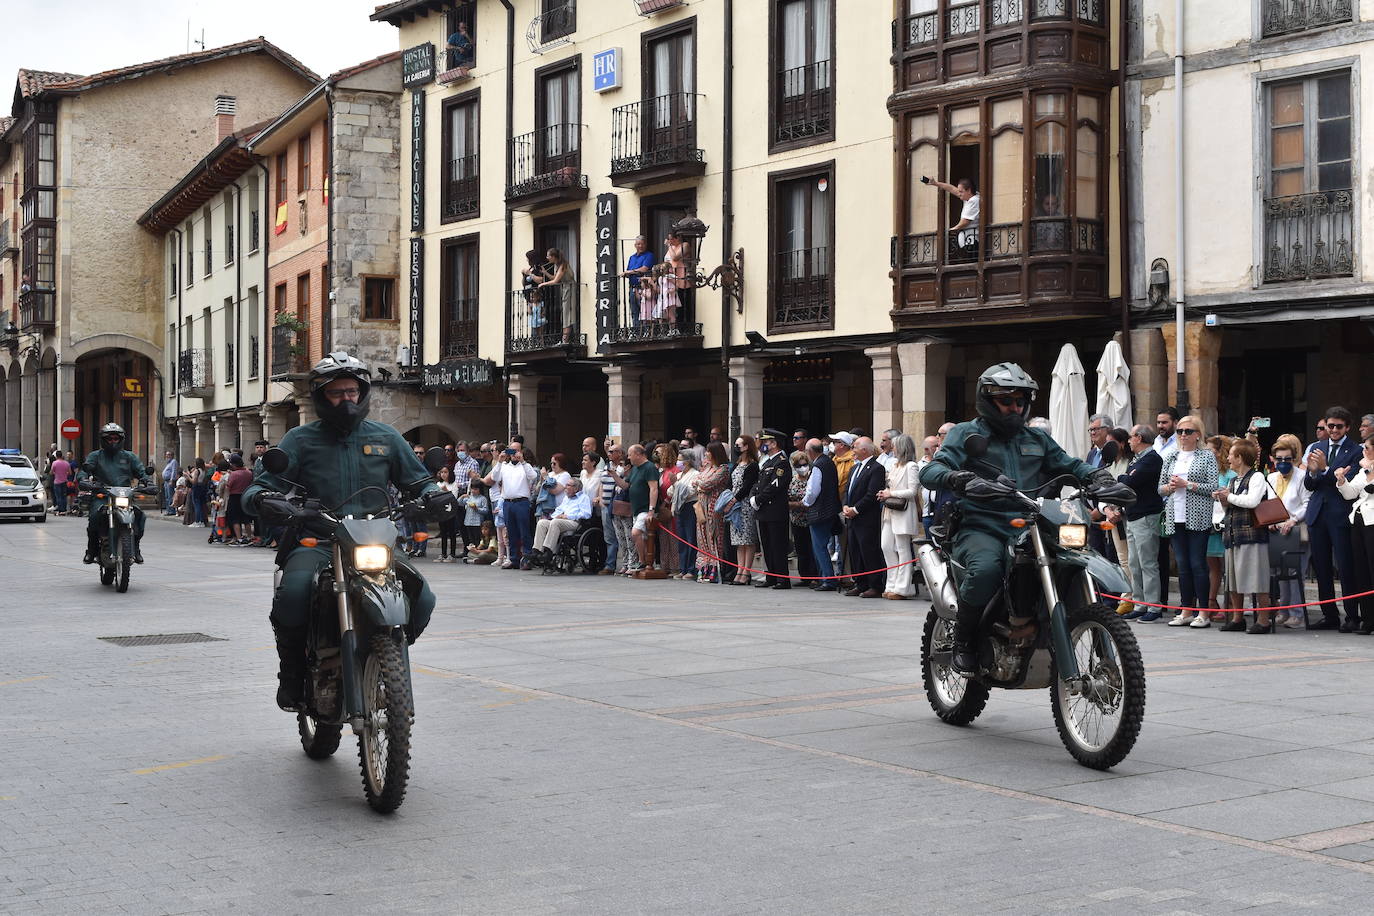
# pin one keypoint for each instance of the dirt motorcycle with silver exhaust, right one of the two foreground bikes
(1048, 626)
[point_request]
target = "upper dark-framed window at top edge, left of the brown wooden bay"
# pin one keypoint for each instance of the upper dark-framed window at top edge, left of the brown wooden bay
(803, 89)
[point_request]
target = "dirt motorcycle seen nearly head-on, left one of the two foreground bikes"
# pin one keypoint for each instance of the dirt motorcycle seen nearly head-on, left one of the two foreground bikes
(358, 660)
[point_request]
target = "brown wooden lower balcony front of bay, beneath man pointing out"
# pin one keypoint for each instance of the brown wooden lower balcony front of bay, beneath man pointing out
(1048, 268)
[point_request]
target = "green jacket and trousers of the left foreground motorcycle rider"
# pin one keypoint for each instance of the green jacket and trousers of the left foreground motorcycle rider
(335, 468)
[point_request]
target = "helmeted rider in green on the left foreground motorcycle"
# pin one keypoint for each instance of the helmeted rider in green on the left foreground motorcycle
(332, 459)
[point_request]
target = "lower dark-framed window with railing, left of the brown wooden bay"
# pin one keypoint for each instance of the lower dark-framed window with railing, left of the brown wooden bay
(802, 227)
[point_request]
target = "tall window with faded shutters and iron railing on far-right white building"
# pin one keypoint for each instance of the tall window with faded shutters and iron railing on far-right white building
(1309, 197)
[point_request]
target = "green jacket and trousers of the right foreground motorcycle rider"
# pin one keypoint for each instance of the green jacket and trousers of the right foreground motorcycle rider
(1030, 459)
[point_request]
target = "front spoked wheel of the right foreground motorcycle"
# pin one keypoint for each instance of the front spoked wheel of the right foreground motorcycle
(1100, 715)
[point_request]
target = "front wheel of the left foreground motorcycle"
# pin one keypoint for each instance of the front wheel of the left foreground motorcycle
(384, 749)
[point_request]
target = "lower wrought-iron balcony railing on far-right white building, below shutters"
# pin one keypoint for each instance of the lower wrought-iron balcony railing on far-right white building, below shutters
(1310, 237)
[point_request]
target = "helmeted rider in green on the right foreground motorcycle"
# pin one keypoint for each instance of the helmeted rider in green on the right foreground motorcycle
(1028, 458)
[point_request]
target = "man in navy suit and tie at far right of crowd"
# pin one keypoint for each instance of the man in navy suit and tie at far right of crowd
(1328, 520)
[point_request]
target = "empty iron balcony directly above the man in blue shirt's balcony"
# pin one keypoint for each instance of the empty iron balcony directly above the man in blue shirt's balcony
(656, 141)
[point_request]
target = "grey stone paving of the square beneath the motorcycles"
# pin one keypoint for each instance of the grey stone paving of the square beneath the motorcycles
(608, 746)
